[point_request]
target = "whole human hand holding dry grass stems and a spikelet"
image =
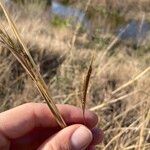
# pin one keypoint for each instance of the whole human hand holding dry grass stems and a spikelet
(32, 126)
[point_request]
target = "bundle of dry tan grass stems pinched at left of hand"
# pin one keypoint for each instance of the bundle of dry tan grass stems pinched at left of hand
(21, 53)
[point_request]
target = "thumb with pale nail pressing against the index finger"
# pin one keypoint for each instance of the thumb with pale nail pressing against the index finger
(75, 137)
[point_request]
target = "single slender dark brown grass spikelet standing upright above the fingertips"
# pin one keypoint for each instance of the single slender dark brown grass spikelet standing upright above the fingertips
(85, 86)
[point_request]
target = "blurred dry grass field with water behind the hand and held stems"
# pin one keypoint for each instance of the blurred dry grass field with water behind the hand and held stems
(62, 36)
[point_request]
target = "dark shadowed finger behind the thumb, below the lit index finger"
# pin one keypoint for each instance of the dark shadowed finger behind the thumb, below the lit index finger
(36, 137)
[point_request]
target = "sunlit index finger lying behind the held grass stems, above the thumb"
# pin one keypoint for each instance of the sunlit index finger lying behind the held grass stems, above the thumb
(21, 120)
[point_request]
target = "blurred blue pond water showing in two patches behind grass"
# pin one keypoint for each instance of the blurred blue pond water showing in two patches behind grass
(136, 32)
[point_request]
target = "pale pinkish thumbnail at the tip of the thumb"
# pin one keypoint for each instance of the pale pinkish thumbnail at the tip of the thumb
(81, 138)
